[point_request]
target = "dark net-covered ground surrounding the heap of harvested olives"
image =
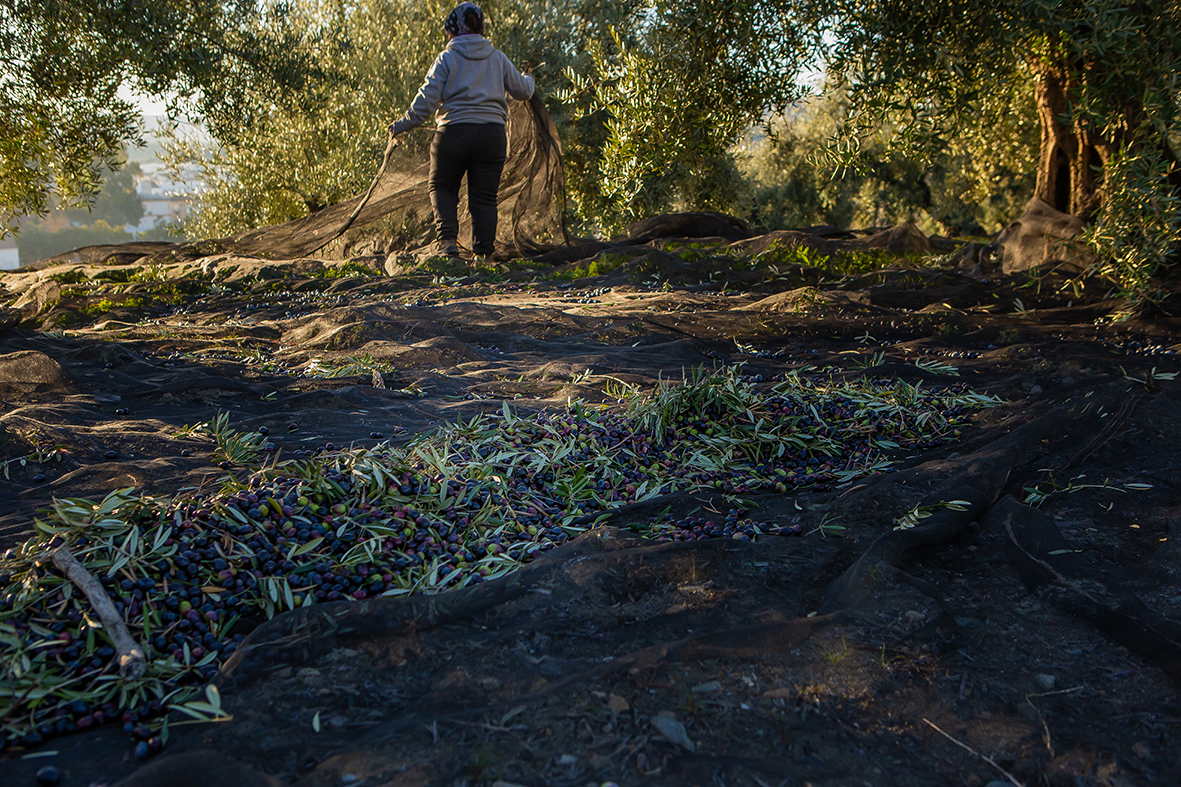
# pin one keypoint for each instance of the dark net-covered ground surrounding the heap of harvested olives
(1013, 643)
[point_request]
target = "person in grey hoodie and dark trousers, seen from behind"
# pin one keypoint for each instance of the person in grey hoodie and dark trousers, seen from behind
(467, 86)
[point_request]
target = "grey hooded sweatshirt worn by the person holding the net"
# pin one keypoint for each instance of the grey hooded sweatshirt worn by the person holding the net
(467, 84)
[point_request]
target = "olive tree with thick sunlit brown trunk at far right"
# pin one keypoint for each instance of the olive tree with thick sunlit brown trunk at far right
(1102, 76)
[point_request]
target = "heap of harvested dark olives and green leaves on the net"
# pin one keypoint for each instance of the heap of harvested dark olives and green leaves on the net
(462, 505)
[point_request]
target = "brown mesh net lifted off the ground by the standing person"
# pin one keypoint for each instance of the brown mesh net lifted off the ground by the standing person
(532, 199)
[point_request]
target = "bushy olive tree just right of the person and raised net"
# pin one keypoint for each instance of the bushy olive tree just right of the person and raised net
(675, 97)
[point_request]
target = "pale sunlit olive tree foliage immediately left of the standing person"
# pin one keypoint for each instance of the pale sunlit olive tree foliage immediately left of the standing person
(295, 160)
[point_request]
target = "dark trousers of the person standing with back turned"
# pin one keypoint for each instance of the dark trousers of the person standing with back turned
(477, 151)
